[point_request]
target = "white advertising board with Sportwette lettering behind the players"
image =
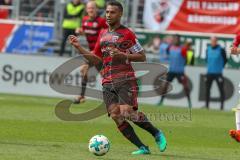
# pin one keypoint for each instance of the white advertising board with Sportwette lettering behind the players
(29, 75)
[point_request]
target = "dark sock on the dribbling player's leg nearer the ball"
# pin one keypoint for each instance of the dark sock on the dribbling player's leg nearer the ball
(126, 129)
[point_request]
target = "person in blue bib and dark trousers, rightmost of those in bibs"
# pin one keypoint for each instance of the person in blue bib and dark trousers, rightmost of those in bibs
(216, 60)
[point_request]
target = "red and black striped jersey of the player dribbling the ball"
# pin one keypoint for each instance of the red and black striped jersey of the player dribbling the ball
(124, 40)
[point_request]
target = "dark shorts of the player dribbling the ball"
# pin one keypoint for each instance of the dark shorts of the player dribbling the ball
(121, 93)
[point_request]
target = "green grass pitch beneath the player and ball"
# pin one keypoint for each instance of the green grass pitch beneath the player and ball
(29, 130)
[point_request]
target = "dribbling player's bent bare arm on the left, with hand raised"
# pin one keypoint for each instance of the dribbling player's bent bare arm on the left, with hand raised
(92, 58)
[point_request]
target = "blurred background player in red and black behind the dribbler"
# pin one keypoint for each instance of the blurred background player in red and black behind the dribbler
(91, 27)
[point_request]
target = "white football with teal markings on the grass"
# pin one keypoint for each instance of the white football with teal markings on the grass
(99, 145)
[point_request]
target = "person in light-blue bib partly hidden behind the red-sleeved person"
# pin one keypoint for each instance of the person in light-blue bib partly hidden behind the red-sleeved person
(166, 42)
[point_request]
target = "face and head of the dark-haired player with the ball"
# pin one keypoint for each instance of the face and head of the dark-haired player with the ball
(113, 15)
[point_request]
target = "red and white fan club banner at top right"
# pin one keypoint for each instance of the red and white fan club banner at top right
(212, 16)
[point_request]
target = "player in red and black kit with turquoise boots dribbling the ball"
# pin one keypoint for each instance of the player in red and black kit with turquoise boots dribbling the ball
(117, 47)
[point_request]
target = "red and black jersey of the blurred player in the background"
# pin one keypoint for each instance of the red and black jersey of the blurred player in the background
(92, 28)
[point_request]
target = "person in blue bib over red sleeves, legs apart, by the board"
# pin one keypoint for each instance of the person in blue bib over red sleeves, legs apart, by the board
(177, 61)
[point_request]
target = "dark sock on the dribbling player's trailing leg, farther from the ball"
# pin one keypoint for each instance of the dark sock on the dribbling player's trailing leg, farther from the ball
(144, 123)
